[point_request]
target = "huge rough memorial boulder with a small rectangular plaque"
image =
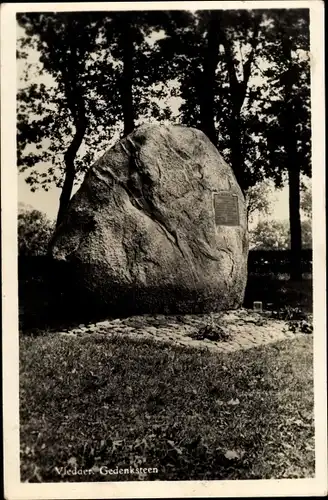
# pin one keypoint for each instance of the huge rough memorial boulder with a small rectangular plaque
(153, 228)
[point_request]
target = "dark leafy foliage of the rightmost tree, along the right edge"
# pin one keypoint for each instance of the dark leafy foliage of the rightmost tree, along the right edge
(287, 111)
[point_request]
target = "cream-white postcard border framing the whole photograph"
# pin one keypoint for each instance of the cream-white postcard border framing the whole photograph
(157, 489)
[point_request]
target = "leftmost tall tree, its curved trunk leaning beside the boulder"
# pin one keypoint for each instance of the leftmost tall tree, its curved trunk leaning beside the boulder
(64, 42)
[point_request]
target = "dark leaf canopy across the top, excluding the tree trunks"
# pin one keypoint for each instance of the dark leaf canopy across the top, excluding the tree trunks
(175, 55)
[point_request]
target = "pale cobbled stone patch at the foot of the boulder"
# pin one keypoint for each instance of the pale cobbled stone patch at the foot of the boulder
(244, 329)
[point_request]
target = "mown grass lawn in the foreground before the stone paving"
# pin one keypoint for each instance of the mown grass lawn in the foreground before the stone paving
(95, 401)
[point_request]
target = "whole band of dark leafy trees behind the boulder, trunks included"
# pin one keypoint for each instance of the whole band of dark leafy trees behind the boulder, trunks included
(242, 76)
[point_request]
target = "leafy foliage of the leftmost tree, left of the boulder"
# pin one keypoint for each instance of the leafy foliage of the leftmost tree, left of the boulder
(49, 111)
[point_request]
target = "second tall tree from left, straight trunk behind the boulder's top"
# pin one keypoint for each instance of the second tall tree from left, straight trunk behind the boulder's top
(127, 40)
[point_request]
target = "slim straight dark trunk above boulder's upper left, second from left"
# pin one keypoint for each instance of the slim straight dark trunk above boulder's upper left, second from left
(127, 79)
